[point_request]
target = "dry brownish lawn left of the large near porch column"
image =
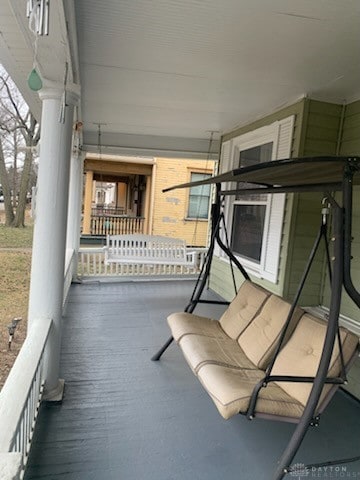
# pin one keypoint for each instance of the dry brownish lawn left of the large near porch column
(15, 262)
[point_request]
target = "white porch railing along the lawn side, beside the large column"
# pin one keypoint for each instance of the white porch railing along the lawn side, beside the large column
(21, 395)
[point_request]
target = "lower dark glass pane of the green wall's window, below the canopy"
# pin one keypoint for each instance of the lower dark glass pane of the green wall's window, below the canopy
(247, 230)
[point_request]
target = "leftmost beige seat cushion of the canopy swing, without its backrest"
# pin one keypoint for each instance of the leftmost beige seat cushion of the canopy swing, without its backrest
(187, 323)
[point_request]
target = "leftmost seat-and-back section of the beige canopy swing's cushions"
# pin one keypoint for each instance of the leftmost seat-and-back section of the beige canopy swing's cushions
(241, 311)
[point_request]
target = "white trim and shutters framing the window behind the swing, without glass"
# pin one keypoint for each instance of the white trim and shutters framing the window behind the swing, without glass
(280, 134)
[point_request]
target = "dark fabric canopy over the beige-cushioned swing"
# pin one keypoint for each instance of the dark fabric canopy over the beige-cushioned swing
(288, 175)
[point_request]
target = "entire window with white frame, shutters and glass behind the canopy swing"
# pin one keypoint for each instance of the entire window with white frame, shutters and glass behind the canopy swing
(255, 222)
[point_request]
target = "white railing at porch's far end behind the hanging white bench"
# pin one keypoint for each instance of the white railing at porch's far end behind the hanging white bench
(91, 263)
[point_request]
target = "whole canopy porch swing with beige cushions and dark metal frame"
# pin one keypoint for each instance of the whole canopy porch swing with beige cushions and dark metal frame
(265, 357)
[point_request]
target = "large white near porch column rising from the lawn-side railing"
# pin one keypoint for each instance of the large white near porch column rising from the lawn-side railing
(49, 241)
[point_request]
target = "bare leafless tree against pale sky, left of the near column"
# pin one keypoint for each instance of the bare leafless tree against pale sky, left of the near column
(20, 132)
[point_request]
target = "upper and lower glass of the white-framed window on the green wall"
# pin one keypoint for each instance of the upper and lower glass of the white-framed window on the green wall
(250, 210)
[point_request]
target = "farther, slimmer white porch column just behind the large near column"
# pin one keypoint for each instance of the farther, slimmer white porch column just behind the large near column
(74, 208)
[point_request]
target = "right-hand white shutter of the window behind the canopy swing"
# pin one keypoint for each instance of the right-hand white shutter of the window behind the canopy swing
(272, 244)
